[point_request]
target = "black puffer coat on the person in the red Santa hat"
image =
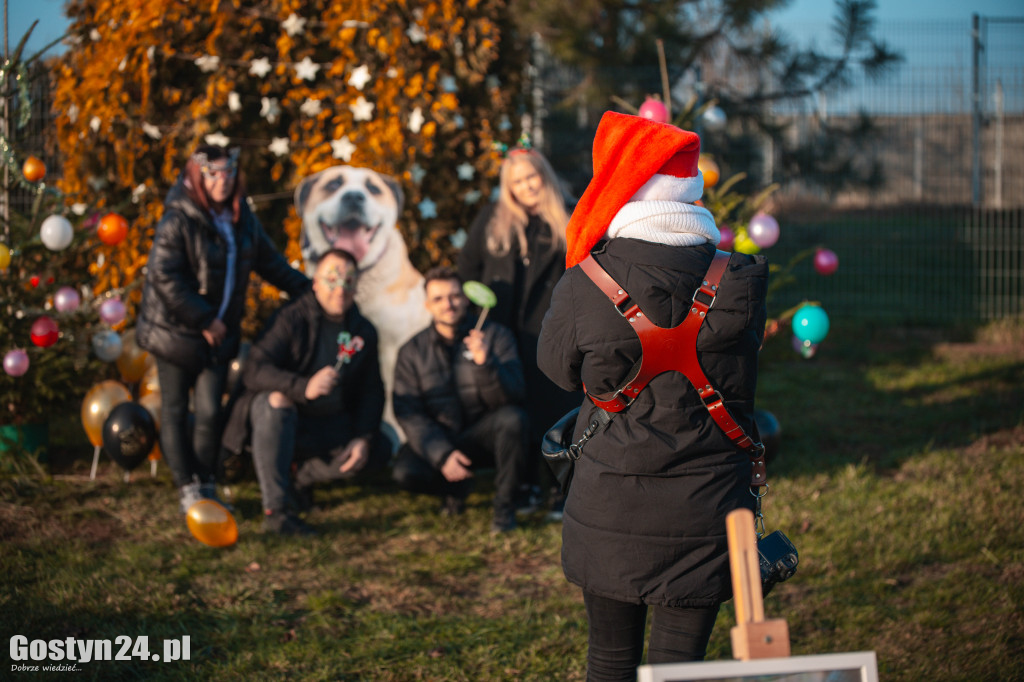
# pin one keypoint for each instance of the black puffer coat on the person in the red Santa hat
(646, 516)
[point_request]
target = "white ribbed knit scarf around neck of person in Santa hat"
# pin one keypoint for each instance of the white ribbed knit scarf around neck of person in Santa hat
(673, 224)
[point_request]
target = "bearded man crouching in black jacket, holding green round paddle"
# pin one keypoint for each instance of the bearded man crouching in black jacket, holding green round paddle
(458, 393)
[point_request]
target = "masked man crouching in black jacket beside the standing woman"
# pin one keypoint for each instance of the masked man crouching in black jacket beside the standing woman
(314, 392)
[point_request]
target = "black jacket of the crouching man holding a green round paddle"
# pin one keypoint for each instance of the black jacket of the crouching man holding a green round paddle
(439, 394)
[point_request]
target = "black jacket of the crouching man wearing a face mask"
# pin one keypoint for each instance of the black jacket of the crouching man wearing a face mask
(283, 360)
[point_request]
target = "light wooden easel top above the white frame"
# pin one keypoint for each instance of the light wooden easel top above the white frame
(753, 637)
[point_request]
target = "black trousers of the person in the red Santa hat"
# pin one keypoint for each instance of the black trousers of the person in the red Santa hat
(617, 635)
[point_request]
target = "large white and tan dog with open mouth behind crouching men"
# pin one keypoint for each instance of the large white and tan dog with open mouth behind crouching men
(358, 209)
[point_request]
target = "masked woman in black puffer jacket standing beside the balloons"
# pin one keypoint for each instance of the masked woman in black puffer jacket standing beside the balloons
(206, 245)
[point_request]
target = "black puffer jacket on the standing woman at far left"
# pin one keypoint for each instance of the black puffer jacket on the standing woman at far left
(185, 282)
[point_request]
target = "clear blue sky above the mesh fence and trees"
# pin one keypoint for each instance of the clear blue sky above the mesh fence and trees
(799, 14)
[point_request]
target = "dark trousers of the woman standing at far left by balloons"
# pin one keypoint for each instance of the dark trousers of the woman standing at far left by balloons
(196, 457)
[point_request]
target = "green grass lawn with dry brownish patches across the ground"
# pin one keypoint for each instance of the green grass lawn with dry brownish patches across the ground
(900, 479)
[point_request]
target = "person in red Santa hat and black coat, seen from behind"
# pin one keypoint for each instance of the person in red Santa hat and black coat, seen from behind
(645, 523)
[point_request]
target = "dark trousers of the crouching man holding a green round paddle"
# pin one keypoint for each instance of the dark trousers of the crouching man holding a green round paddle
(499, 439)
